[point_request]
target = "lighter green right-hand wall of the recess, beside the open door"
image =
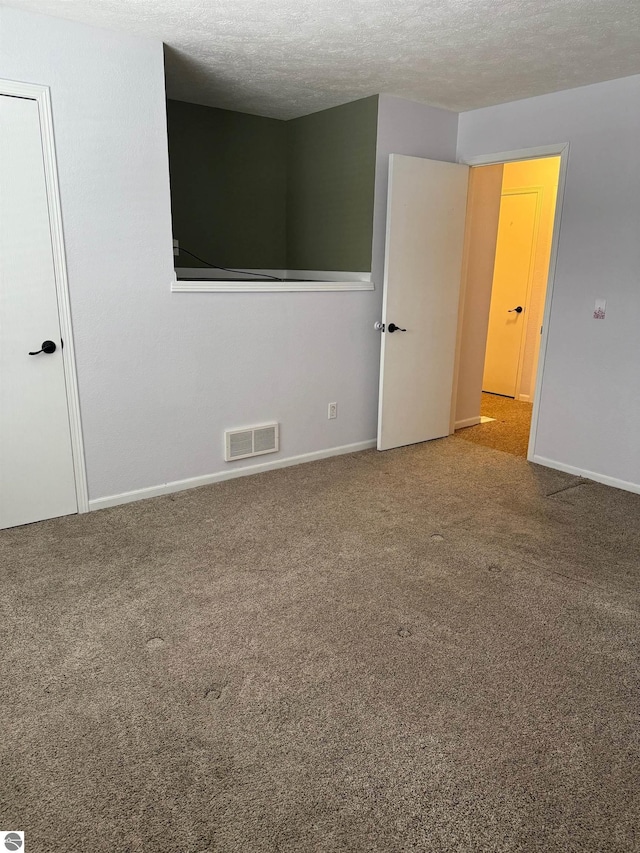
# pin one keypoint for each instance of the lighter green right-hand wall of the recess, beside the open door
(331, 157)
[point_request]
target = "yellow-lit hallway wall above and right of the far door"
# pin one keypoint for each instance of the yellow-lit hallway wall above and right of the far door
(541, 173)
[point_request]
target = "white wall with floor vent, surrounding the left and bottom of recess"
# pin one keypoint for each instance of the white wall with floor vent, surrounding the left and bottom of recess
(162, 374)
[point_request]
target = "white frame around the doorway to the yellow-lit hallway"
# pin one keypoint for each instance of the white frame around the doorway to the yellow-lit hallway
(559, 150)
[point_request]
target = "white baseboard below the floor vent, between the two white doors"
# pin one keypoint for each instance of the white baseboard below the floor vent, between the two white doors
(219, 476)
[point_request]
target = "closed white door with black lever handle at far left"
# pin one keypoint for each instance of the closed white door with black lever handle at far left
(36, 463)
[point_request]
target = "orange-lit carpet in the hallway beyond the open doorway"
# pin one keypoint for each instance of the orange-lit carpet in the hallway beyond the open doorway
(510, 429)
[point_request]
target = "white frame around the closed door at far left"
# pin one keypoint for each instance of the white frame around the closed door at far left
(42, 96)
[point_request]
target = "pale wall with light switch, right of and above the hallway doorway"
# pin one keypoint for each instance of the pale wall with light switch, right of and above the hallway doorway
(590, 406)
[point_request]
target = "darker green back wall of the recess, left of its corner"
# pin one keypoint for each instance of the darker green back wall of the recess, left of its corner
(228, 186)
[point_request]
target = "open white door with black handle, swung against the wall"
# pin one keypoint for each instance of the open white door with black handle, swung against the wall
(423, 262)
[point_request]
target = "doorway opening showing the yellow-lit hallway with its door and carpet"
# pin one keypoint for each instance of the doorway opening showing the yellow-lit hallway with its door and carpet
(508, 244)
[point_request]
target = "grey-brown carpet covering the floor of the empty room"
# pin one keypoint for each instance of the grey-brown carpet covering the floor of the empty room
(431, 649)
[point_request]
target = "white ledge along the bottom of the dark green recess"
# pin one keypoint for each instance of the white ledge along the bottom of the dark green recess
(310, 281)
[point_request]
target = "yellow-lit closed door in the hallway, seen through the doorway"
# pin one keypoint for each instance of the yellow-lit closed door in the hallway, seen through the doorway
(517, 229)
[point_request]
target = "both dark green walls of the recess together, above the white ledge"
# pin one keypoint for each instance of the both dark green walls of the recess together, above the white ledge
(248, 191)
